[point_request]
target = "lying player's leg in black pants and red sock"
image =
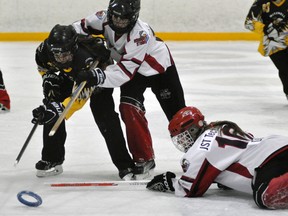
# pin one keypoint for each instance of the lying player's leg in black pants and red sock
(270, 184)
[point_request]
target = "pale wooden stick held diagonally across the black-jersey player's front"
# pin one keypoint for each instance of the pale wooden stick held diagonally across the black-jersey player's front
(67, 108)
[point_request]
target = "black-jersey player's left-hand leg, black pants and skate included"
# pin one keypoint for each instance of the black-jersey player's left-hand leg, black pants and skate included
(53, 151)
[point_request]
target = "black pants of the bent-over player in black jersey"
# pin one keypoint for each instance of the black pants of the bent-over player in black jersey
(102, 107)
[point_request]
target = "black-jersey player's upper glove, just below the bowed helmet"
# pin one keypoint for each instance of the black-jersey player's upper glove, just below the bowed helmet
(51, 86)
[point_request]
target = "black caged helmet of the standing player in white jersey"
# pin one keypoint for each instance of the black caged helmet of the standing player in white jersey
(123, 14)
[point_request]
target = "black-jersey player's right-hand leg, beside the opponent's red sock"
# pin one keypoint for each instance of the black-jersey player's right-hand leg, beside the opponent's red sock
(103, 109)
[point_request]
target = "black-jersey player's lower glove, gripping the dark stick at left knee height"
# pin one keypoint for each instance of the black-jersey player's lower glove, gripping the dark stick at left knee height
(47, 114)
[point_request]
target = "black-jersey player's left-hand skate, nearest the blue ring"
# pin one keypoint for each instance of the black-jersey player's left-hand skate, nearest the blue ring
(46, 168)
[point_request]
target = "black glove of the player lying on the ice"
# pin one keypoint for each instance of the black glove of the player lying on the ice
(162, 182)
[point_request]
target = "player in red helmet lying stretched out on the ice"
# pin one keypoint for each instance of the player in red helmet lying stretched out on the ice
(221, 152)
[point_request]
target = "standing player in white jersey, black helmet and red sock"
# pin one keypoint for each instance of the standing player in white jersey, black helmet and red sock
(142, 61)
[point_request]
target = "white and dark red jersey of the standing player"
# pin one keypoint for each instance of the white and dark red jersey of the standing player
(138, 51)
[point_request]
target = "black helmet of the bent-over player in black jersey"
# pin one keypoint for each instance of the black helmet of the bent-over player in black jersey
(62, 44)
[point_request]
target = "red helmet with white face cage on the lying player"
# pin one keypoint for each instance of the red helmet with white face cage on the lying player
(185, 127)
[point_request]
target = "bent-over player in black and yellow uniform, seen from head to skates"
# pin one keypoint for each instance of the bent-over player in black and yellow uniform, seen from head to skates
(59, 58)
